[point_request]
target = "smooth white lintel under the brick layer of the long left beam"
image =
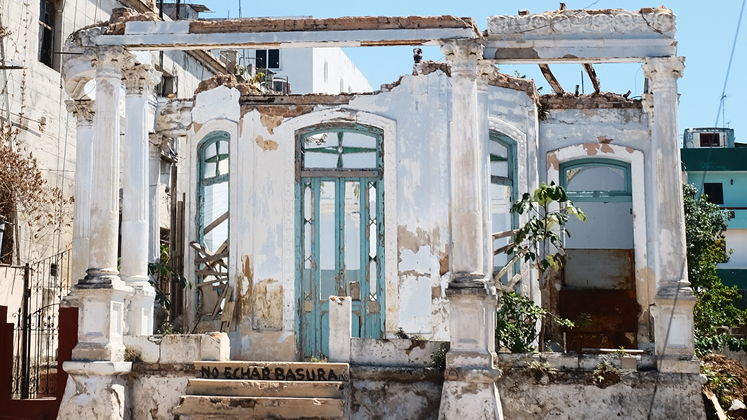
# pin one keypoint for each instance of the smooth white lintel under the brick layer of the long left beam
(157, 40)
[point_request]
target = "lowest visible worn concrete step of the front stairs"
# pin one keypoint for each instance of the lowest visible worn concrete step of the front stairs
(244, 408)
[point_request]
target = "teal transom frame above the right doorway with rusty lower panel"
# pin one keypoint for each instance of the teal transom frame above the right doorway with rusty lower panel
(598, 196)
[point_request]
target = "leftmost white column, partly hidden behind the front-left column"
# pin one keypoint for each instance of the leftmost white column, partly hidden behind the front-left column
(83, 111)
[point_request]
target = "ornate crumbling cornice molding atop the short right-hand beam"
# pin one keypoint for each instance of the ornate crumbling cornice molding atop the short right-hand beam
(607, 23)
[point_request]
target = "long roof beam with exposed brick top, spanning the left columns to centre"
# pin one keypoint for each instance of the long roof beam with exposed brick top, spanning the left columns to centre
(290, 33)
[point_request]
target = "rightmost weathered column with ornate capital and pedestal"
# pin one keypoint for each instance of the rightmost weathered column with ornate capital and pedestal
(674, 301)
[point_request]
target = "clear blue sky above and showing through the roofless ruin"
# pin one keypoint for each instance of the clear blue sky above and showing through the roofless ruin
(705, 33)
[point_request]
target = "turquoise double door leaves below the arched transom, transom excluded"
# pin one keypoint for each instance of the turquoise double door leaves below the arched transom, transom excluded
(340, 249)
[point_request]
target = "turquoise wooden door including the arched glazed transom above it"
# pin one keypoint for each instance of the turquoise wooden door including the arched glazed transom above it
(339, 241)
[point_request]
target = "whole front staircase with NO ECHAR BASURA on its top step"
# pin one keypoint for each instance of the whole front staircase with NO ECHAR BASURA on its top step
(265, 390)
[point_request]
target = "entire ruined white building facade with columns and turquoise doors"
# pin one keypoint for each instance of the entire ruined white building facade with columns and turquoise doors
(321, 225)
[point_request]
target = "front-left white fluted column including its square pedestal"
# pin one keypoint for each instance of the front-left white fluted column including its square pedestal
(102, 293)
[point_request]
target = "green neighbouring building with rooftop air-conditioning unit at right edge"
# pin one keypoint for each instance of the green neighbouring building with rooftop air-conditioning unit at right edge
(718, 167)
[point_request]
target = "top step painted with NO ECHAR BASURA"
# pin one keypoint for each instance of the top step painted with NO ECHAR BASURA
(273, 371)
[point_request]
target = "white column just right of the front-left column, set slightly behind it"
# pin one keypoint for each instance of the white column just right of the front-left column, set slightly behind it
(139, 80)
